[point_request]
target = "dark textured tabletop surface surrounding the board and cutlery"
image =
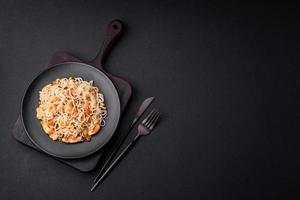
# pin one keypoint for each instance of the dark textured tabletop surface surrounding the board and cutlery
(225, 80)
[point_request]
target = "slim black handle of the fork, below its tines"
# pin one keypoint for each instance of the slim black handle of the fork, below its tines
(115, 162)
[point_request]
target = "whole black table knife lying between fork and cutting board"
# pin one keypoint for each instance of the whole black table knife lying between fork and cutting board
(143, 107)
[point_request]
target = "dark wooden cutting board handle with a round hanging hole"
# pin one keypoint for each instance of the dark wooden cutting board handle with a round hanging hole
(113, 32)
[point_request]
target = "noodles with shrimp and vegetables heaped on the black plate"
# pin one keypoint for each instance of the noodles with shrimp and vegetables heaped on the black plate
(71, 110)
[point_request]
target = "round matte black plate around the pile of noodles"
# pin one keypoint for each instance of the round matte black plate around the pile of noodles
(60, 149)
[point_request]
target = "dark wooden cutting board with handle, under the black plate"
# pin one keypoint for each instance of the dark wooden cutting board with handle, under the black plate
(113, 32)
